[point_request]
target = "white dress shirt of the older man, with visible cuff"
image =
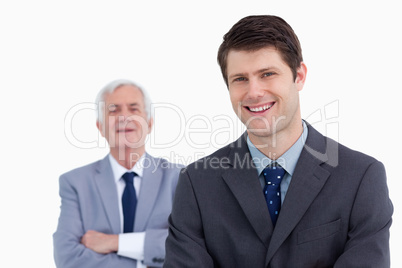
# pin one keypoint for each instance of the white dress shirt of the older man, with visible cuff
(131, 245)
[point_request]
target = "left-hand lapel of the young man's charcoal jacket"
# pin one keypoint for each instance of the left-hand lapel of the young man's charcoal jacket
(243, 175)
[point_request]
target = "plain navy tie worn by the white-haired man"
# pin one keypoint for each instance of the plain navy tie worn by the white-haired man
(129, 201)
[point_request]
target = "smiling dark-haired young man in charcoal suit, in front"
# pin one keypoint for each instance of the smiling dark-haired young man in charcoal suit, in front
(282, 195)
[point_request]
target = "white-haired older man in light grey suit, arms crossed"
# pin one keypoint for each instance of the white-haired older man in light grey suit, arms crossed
(114, 212)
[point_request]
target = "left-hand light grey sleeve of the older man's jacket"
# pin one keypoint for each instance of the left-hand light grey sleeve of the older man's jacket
(68, 251)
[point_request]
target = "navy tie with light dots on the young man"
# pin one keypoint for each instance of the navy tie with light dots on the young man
(273, 175)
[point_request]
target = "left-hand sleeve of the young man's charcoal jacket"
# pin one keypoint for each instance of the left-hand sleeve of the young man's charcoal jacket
(185, 245)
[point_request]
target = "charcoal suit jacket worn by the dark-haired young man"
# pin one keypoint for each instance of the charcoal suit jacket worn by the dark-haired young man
(336, 213)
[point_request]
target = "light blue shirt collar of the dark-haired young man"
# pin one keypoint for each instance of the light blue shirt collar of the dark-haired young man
(288, 160)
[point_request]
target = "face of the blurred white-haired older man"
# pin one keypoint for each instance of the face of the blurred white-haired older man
(125, 119)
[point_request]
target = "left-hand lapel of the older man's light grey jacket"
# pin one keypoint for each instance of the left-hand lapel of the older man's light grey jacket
(108, 193)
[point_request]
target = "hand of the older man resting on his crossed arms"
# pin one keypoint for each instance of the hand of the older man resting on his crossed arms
(100, 242)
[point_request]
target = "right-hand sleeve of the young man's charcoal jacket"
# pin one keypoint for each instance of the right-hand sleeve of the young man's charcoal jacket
(368, 243)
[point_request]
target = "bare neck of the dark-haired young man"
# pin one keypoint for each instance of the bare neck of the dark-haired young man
(276, 144)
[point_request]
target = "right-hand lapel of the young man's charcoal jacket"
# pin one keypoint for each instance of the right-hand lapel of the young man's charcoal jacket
(307, 181)
